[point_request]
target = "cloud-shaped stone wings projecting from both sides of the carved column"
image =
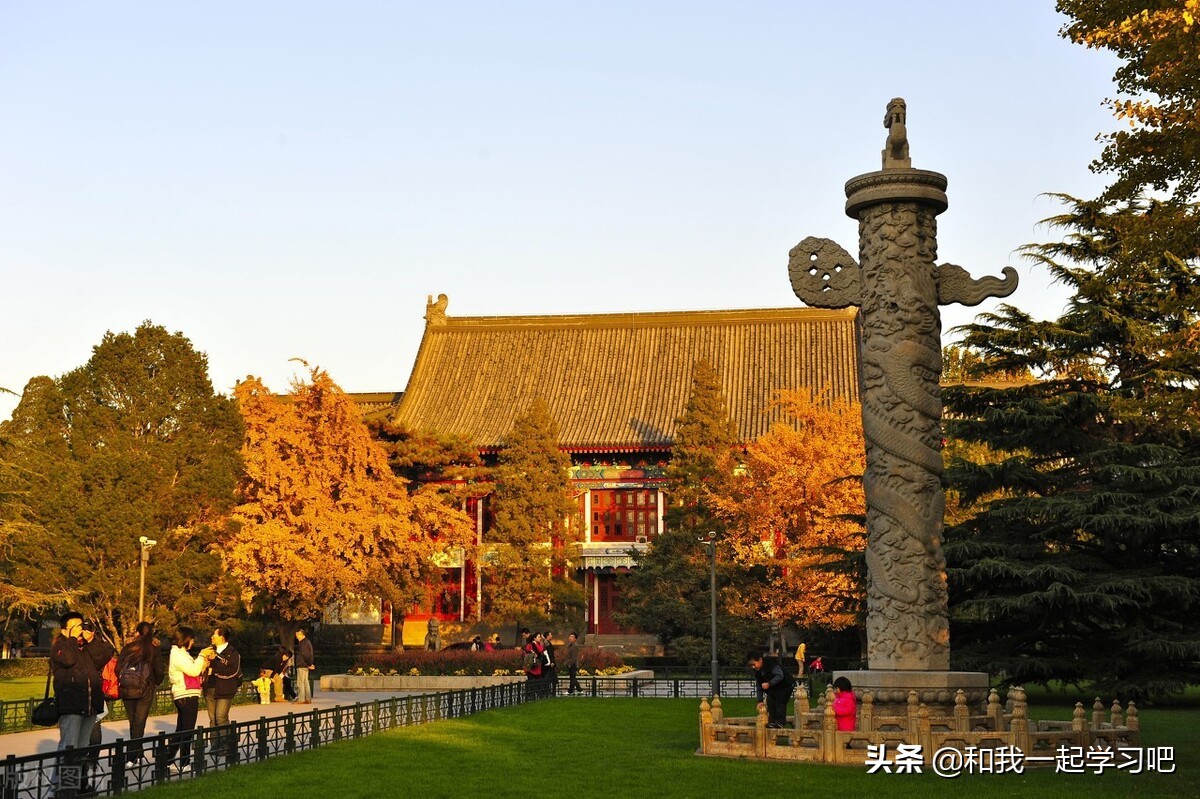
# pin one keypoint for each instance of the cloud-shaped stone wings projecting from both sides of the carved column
(826, 277)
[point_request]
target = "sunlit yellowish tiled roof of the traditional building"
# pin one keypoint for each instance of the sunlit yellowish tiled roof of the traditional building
(619, 382)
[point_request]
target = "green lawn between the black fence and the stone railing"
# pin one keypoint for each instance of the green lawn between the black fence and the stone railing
(641, 748)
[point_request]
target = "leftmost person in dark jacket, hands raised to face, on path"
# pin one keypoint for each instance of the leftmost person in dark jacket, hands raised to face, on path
(76, 688)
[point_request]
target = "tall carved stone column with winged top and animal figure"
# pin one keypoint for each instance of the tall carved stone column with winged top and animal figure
(898, 287)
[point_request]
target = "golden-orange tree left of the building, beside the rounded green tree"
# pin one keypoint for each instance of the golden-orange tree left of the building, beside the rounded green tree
(322, 515)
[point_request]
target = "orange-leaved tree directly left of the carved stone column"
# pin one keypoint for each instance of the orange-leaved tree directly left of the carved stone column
(796, 510)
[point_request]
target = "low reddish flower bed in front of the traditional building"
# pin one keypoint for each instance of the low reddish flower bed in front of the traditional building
(465, 663)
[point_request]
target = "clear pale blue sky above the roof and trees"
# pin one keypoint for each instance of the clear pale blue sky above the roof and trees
(292, 179)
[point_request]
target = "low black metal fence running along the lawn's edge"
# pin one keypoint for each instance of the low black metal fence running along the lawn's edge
(124, 766)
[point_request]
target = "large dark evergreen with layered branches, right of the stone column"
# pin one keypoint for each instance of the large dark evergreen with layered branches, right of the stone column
(1088, 564)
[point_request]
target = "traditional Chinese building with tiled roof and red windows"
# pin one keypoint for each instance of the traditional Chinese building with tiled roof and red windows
(615, 385)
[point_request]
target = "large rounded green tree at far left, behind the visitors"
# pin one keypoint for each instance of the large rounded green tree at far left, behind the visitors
(133, 443)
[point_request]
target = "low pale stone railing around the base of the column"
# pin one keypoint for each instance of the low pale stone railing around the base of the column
(814, 735)
